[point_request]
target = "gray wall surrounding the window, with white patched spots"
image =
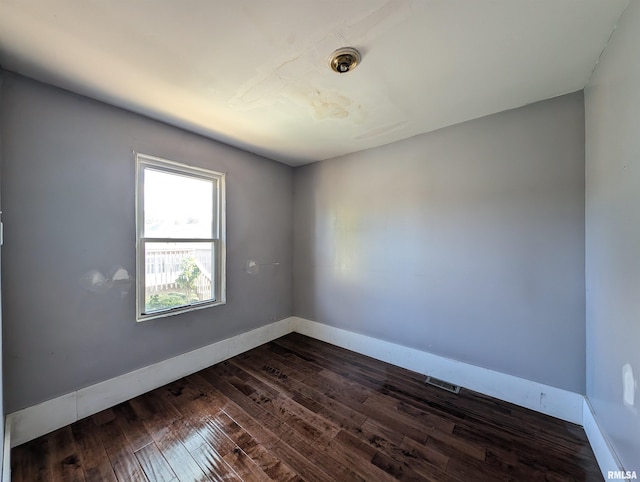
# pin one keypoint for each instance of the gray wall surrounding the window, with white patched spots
(68, 201)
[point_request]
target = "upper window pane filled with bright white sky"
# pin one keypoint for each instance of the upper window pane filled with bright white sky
(177, 206)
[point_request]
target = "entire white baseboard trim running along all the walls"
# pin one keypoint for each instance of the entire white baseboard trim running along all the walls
(32, 422)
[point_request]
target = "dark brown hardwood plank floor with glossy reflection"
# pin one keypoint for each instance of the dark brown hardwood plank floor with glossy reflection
(299, 409)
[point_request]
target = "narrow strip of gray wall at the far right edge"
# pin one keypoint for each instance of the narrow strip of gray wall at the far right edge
(612, 107)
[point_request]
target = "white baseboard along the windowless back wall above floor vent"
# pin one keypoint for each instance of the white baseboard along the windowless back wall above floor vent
(536, 396)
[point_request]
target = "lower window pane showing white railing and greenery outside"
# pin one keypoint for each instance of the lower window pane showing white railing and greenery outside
(178, 274)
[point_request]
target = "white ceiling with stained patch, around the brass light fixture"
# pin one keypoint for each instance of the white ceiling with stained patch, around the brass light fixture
(255, 74)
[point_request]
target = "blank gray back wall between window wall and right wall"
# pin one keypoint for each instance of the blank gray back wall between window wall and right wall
(467, 242)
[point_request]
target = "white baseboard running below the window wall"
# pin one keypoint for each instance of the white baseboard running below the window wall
(32, 422)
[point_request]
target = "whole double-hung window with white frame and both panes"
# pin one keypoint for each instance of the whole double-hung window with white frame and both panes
(180, 238)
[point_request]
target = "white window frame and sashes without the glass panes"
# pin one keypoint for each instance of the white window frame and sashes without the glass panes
(144, 161)
